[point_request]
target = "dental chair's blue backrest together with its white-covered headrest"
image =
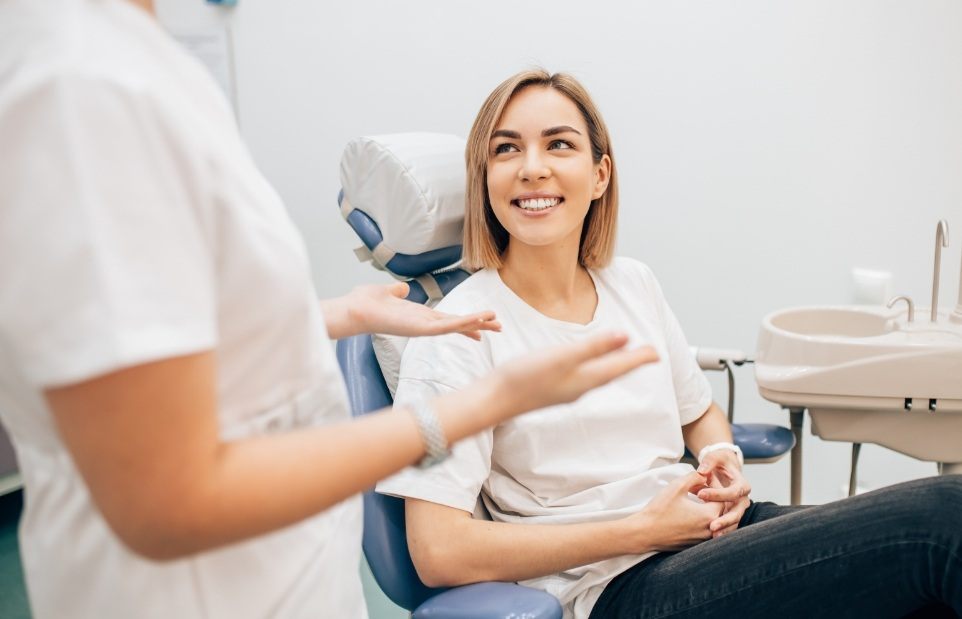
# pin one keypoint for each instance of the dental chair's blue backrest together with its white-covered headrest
(403, 195)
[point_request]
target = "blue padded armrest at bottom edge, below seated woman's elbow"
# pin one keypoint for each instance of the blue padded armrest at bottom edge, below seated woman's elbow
(490, 600)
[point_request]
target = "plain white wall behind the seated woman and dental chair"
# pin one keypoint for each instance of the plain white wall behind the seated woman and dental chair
(765, 148)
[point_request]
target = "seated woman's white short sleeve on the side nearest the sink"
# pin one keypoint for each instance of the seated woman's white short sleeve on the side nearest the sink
(692, 389)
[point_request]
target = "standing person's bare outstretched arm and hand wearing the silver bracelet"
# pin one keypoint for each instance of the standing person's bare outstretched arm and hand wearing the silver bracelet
(146, 441)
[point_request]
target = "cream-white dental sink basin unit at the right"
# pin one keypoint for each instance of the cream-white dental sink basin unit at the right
(867, 375)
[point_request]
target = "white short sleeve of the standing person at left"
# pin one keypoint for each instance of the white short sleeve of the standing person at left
(103, 255)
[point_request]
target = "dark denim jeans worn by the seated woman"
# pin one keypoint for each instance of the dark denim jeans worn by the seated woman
(888, 553)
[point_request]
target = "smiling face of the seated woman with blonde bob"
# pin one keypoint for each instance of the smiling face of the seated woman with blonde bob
(541, 176)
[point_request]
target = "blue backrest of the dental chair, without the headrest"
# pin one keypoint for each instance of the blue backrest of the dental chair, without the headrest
(385, 542)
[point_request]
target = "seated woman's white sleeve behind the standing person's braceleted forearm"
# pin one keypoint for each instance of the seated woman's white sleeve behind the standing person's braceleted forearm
(432, 367)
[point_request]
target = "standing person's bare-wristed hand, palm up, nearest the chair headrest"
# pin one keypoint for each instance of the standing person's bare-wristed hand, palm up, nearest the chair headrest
(383, 309)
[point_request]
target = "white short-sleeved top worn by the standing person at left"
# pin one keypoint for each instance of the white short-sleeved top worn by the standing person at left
(134, 226)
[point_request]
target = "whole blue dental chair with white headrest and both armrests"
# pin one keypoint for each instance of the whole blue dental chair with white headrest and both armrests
(403, 195)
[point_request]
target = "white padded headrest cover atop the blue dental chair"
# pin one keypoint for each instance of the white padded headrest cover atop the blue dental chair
(411, 185)
